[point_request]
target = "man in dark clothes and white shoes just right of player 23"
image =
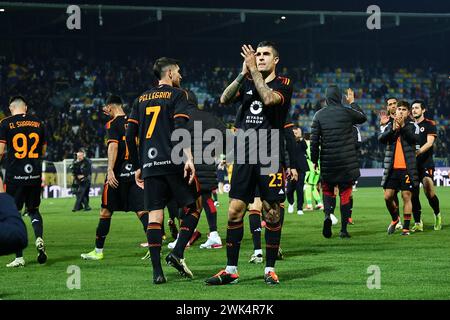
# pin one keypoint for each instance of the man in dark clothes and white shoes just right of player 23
(300, 164)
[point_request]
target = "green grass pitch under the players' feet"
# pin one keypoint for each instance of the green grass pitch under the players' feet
(414, 267)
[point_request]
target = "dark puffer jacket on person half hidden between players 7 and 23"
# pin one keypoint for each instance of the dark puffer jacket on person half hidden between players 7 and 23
(206, 173)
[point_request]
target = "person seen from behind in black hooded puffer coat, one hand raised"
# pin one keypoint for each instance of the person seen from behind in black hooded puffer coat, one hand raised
(332, 141)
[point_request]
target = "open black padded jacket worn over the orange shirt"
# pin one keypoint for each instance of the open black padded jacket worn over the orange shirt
(409, 136)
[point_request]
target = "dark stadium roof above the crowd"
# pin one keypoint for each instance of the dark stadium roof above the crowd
(308, 31)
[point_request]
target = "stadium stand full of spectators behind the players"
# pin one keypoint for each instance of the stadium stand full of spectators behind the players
(69, 96)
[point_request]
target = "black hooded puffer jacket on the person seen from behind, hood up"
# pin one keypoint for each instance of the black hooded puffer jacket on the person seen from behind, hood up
(332, 138)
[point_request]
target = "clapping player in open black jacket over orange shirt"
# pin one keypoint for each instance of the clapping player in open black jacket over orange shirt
(400, 170)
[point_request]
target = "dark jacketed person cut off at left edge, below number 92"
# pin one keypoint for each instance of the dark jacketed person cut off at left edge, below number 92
(13, 233)
